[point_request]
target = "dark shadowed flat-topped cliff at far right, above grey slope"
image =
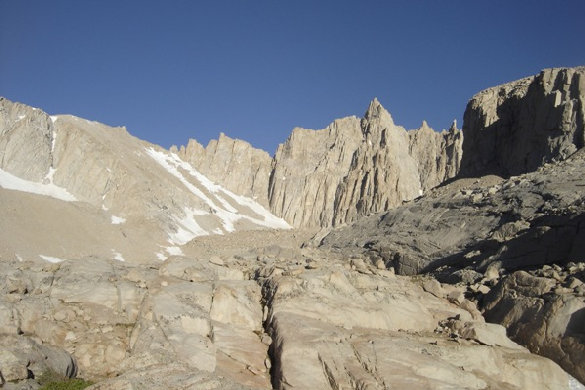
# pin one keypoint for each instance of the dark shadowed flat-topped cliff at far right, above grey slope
(516, 127)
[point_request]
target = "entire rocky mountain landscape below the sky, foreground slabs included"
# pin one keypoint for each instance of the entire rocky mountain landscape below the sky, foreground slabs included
(419, 259)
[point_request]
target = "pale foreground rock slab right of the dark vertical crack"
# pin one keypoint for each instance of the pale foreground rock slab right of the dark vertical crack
(323, 347)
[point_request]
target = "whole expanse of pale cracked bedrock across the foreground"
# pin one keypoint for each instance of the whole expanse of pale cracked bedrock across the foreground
(312, 320)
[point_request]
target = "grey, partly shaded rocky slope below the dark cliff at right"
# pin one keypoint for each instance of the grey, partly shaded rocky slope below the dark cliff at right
(473, 230)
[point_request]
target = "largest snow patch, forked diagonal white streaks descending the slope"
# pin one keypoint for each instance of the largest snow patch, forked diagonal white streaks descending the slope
(219, 206)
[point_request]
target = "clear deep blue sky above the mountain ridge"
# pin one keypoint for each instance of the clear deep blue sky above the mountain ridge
(174, 70)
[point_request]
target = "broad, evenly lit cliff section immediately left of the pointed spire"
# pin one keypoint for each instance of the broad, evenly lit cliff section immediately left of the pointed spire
(308, 170)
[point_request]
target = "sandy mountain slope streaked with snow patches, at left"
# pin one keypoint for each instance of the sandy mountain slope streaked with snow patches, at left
(100, 191)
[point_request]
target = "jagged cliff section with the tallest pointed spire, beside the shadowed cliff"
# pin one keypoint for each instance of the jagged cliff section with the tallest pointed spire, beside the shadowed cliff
(393, 165)
